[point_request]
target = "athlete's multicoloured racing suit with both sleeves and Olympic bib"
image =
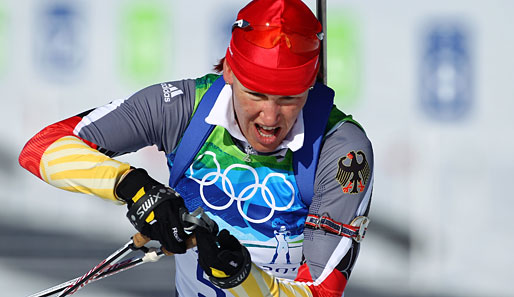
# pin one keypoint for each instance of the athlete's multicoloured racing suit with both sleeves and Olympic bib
(253, 195)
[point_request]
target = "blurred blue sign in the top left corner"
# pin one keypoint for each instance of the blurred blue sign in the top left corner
(59, 39)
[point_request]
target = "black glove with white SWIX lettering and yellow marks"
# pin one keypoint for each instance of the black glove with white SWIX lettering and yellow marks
(154, 209)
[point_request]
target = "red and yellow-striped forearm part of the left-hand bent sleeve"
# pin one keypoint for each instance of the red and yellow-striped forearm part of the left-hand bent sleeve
(71, 163)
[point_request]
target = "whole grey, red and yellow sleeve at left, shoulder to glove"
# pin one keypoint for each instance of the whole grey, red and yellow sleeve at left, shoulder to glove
(76, 154)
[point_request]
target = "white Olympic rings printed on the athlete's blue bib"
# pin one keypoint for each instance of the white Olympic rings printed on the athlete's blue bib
(246, 194)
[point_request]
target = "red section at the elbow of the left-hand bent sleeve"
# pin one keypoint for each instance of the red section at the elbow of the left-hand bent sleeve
(30, 156)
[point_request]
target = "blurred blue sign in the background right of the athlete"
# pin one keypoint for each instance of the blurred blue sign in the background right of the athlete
(446, 72)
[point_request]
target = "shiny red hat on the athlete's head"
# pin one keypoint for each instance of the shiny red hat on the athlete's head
(275, 47)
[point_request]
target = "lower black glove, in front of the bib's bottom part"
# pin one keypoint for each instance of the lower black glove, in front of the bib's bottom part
(228, 264)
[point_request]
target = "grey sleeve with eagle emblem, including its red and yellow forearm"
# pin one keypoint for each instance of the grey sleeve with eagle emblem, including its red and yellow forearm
(343, 188)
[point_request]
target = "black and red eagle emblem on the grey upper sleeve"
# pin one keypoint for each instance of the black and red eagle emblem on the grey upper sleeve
(353, 176)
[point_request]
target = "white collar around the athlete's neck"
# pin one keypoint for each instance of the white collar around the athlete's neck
(222, 114)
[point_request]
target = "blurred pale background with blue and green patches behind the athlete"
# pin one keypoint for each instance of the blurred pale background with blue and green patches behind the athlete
(431, 81)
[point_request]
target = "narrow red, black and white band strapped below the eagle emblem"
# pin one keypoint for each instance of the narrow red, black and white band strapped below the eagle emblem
(356, 230)
